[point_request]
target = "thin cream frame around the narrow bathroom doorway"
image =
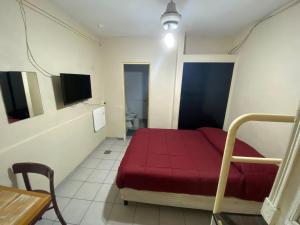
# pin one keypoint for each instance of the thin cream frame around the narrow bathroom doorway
(124, 93)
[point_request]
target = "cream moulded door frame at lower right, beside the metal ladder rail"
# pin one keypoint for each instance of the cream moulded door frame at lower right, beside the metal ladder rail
(283, 202)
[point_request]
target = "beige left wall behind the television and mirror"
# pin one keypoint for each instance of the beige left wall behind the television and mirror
(60, 139)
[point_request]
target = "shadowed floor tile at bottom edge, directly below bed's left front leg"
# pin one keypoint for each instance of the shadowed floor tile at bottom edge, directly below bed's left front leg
(121, 215)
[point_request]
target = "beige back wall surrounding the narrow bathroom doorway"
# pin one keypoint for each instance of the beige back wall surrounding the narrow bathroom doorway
(117, 51)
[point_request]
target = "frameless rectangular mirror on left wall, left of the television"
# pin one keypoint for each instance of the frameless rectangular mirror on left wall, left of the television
(21, 95)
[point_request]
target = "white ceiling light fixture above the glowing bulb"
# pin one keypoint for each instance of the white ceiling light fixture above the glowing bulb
(171, 18)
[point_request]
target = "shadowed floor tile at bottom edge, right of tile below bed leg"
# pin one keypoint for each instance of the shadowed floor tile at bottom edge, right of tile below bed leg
(146, 215)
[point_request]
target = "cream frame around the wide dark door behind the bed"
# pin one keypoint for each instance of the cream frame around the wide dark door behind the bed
(201, 59)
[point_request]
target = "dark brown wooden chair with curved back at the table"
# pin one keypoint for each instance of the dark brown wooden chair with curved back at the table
(37, 168)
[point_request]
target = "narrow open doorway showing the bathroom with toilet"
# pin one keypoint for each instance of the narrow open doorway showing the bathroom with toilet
(136, 84)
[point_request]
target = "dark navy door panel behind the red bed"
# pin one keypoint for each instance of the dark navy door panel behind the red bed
(204, 94)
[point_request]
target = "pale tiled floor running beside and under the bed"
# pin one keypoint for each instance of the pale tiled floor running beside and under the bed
(90, 197)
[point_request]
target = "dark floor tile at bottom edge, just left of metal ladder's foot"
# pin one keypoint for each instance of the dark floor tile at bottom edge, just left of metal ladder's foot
(196, 217)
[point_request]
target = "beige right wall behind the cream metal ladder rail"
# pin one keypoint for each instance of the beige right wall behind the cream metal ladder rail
(268, 80)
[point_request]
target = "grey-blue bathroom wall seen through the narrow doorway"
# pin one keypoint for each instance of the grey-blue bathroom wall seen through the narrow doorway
(136, 93)
